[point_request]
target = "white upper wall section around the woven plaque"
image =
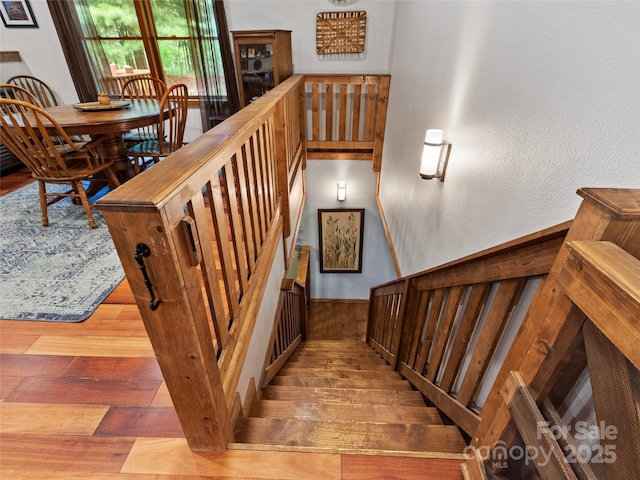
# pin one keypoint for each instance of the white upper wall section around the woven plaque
(299, 16)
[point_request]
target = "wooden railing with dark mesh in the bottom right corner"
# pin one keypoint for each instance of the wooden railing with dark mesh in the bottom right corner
(602, 282)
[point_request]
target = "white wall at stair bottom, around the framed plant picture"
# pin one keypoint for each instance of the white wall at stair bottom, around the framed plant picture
(377, 267)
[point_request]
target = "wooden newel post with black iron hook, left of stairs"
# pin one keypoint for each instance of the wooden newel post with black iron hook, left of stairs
(176, 321)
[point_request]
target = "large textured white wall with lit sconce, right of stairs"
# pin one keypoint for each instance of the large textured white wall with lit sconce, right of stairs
(538, 100)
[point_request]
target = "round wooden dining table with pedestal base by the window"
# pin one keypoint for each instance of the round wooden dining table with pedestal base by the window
(87, 119)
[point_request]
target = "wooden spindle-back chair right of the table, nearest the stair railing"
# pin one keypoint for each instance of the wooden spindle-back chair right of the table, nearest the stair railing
(173, 118)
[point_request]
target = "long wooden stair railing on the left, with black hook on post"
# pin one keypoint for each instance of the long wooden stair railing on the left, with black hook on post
(197, 235)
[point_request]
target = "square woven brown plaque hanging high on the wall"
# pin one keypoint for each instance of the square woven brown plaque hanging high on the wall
(341, 32)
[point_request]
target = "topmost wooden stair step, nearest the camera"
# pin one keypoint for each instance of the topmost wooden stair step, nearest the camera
(350, 435)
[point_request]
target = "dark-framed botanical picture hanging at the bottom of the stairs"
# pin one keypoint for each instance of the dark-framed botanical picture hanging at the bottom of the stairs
(341, 237)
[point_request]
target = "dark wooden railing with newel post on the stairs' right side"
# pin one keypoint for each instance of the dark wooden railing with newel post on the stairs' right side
(442, 328)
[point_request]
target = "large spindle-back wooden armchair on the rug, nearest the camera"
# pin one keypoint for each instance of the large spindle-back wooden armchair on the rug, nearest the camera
(23, 132)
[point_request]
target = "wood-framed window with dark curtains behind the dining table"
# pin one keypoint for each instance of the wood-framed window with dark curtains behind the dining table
(106, 42)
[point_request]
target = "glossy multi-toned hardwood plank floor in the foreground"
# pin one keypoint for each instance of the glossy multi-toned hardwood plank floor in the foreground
(87, 401)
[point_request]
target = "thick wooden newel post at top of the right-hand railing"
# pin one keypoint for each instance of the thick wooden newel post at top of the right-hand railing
(605, 214)
